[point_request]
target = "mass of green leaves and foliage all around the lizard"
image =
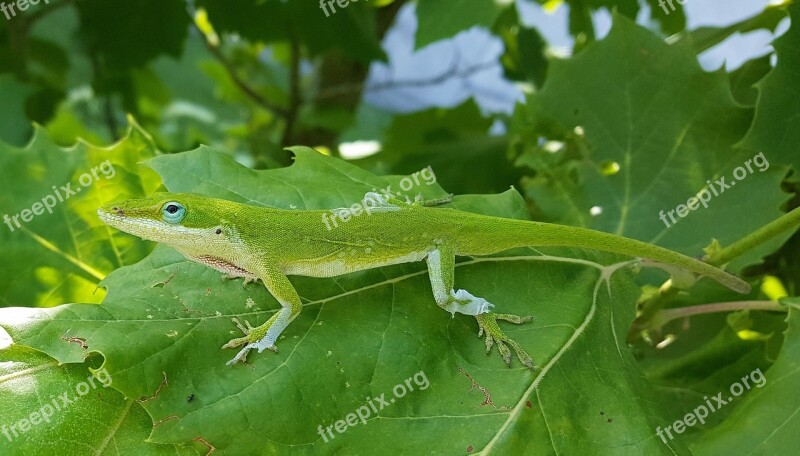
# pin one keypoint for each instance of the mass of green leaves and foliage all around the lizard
(208, 96)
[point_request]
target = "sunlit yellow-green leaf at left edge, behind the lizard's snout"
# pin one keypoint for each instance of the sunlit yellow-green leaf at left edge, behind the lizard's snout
(66, 249)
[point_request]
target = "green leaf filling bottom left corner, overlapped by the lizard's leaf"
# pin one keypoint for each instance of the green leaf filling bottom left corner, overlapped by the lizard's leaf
(47, 408)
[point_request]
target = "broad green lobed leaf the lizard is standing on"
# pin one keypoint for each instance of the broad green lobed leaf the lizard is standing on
(361, 335)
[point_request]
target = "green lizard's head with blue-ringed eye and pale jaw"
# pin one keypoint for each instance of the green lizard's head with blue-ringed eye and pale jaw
(187, 221)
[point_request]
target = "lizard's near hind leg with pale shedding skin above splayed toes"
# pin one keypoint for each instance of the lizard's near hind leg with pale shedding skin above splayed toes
(441, 270)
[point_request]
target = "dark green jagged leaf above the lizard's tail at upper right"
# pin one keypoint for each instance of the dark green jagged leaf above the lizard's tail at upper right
(645, 129)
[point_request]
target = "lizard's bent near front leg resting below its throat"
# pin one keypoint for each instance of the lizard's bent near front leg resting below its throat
(263, 337)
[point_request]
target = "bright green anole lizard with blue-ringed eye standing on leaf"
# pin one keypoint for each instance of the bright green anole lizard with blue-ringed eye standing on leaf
(270, 244)
